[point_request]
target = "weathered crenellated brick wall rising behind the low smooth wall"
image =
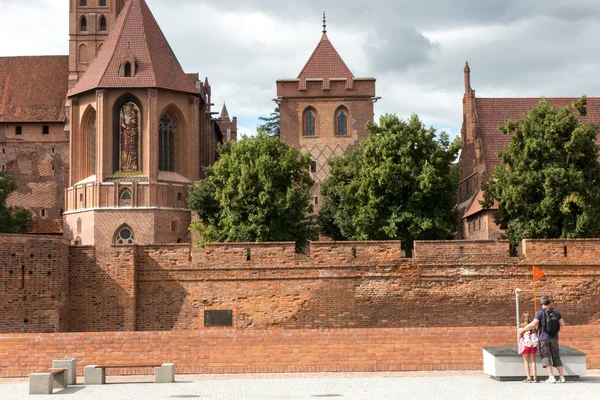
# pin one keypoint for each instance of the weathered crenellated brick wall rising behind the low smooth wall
(268, 286)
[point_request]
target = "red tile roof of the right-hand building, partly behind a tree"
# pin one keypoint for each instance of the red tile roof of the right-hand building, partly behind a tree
(492, 112)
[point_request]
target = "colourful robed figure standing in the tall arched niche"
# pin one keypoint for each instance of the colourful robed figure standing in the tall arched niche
(130, 138)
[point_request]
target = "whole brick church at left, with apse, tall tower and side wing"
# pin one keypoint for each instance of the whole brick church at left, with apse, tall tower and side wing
(104, 143)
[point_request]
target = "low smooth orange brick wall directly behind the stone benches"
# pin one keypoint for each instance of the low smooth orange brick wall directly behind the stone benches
(404, 349)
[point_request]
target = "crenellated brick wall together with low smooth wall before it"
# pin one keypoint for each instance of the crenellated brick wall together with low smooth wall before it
(346, 306)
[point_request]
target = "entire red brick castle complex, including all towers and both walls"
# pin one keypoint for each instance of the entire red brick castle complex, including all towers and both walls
(111, 148)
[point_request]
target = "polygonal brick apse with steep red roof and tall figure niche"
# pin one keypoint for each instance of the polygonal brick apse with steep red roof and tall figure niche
(135, 121)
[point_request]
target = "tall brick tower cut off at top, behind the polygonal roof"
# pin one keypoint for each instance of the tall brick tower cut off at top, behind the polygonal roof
(89, 24)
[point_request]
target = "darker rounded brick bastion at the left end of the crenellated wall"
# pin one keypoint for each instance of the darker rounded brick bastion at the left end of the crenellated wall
(33, 284)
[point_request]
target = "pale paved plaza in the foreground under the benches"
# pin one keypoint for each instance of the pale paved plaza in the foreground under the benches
(387, 386)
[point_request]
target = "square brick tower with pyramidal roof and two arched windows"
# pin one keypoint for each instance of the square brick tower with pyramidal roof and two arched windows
(325, 109)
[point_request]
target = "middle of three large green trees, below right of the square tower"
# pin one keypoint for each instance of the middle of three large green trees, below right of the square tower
(395, 185)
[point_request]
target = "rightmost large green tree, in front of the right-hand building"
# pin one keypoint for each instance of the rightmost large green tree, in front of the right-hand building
(548, 183)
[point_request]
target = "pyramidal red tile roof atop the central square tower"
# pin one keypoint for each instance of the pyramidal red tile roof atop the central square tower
(325, 63)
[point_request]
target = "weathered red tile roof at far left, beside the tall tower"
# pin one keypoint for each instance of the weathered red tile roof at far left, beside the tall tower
(33, 89)
